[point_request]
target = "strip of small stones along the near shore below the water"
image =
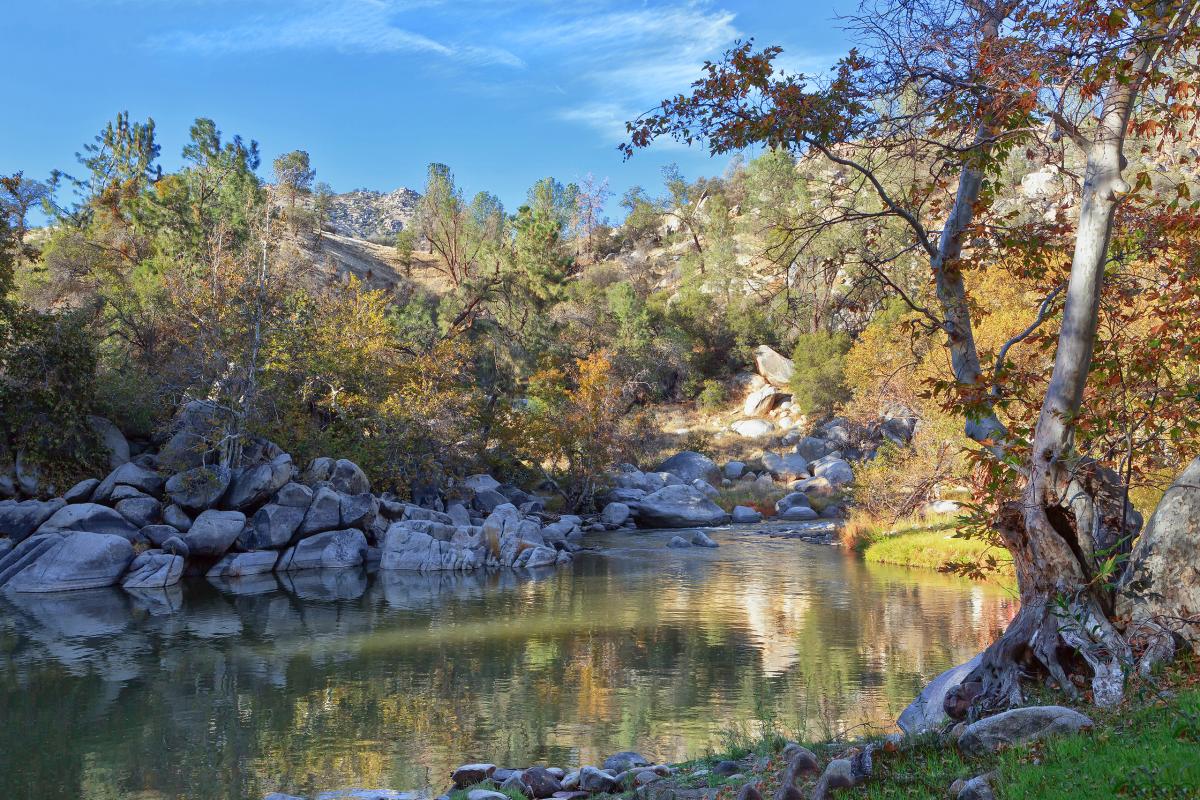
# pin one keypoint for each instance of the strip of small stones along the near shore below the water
(784, 771)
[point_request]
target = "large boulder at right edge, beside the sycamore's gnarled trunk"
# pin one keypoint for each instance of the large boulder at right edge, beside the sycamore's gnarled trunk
(1163, 584)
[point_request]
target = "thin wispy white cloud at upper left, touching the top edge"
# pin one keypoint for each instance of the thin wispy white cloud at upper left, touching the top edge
(343, 26)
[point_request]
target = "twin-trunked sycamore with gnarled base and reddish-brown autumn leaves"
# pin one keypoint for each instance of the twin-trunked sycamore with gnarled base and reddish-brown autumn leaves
(959, 87)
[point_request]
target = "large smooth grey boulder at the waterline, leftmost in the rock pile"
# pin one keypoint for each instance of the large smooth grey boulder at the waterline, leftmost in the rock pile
(79, 561)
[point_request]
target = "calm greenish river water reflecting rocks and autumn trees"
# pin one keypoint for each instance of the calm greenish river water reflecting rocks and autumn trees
(326, 682)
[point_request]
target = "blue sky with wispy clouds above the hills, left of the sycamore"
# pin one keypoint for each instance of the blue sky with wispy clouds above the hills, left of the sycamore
(503, 92)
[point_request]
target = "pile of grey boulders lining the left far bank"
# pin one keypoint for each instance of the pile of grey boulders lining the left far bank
(145, 527)
